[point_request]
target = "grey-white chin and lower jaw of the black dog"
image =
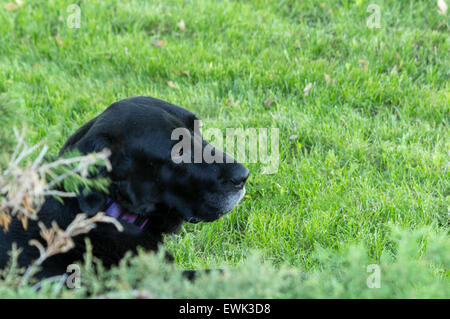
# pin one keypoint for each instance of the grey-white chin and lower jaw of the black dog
(225, 206)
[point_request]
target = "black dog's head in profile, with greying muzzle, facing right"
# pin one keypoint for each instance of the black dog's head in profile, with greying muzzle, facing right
(147, 177)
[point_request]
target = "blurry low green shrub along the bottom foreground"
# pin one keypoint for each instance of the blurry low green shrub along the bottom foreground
(418, 268)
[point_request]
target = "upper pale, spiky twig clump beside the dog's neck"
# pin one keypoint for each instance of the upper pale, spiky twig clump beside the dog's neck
(24, 184)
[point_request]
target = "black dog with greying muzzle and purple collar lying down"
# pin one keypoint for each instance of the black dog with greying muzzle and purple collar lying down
(150, 193)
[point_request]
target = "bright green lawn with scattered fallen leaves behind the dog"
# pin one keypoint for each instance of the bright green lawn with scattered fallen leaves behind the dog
(372, 145)
